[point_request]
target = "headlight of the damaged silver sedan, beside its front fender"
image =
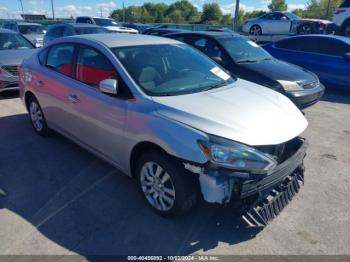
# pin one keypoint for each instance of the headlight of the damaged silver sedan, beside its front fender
(236, 156)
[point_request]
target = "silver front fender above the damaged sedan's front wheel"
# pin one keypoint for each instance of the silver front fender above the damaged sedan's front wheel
(177, 139)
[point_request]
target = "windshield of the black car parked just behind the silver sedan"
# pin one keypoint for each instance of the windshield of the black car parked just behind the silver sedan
(244, 50)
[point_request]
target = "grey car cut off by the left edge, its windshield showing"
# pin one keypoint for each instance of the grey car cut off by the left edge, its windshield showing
(13, 49)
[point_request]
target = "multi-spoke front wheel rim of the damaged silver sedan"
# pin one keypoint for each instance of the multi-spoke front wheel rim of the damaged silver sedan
(157, 186)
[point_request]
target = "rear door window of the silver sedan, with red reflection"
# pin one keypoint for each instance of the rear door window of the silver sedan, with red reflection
(60, 58)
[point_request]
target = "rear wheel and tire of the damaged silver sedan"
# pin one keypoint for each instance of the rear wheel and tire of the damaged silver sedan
(37, 117)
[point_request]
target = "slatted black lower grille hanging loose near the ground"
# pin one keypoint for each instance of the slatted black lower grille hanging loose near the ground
(262, 213)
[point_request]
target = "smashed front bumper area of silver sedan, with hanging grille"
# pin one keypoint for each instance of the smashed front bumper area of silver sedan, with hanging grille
(260, 194)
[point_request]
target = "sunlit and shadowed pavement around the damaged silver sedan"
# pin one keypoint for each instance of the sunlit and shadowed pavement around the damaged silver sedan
(63, 200)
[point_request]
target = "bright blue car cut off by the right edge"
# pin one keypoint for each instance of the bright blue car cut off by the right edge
(325, 55)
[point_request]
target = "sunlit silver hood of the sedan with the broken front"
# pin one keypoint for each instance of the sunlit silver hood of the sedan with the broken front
(243, 112)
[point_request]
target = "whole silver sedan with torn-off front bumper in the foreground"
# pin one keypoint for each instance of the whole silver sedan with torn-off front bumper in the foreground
(176, 122)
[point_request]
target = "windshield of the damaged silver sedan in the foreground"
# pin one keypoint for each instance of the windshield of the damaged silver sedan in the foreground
(164, 70)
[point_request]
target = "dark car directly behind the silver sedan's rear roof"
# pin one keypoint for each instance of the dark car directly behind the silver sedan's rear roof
(61, 30)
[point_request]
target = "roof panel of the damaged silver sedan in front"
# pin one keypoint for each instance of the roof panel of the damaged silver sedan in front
(118, 40)
